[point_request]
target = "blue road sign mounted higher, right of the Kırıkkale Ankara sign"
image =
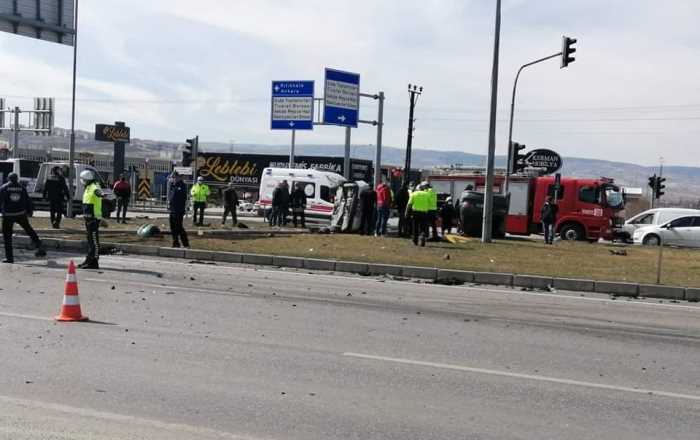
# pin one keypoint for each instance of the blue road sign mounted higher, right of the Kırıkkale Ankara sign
(341, 100)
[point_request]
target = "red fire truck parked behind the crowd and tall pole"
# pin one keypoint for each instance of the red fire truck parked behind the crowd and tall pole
(589, 209)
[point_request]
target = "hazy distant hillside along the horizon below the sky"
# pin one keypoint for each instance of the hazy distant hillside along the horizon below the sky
(683, 183)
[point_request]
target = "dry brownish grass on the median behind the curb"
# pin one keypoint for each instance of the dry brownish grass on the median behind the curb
(565, 259)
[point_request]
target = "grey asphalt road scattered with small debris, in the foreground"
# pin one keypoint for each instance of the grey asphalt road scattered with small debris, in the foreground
(196, 351)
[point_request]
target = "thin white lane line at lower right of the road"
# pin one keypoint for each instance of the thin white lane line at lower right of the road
(524, 376)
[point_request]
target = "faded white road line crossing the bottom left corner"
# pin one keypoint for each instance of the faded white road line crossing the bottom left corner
(121, 418)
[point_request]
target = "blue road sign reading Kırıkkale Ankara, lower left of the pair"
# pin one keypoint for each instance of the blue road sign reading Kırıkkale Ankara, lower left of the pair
(292, 105)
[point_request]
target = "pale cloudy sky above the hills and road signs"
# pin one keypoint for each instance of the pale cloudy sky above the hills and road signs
(174, 68)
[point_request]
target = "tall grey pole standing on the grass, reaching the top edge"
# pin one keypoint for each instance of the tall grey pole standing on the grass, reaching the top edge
(487, 224)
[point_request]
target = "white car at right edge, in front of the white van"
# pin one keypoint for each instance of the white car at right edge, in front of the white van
(682, 231)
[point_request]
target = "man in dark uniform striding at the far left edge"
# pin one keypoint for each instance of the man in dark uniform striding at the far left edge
(16, 206)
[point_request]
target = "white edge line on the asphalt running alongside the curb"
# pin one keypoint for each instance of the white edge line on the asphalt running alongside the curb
(432, 286)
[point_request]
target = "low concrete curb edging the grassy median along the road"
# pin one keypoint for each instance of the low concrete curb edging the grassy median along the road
(427, 273)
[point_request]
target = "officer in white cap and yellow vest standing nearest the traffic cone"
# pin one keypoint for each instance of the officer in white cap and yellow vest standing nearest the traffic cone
(92, 213)
